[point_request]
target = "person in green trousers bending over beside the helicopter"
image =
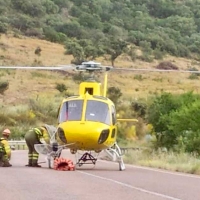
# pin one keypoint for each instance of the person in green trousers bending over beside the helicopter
(33, 137)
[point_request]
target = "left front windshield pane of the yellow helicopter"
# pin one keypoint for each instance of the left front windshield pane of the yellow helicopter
(71, 111)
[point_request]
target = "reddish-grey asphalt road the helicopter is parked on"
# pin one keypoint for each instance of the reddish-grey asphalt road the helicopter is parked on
(102, 182)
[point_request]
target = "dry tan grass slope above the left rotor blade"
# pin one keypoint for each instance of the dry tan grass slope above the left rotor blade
(21, 51)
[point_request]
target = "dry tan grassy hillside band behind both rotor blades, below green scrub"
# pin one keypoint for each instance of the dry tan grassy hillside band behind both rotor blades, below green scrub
(134, 85)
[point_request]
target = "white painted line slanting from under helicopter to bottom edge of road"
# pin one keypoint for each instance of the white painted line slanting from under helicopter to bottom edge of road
(130, 186)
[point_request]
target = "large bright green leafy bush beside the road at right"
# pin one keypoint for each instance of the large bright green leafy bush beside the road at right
(175, 119)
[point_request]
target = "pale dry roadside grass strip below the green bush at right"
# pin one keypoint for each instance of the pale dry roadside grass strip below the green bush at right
(181, 162)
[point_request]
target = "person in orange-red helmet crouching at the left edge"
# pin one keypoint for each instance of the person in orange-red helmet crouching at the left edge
(5, 151)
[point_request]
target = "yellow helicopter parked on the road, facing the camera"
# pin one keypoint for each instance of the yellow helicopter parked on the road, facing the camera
(88, 121)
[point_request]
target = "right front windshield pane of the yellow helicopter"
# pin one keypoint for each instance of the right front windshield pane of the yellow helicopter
(97, 111)
